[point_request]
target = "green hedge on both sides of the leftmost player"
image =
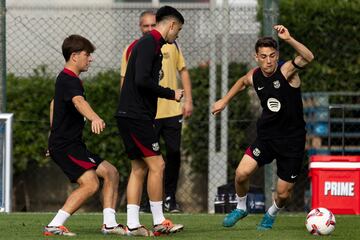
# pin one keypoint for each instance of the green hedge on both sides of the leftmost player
(29, 98)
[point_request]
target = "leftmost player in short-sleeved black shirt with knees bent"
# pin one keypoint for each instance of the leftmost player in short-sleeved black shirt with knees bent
(68, 111)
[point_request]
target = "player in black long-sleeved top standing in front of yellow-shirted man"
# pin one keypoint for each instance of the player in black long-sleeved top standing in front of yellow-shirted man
(135, 117)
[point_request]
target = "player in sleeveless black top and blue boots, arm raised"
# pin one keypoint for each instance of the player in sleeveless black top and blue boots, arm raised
(281, 127)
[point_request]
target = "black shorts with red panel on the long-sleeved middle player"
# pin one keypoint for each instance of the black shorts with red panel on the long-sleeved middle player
(139, 137)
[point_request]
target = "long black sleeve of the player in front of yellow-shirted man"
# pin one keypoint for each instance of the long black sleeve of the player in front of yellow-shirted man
(143, 66)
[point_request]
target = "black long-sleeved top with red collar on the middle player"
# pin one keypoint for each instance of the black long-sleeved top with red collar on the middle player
(141, 89)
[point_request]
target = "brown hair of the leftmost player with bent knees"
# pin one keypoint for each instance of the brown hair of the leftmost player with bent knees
(76, 43)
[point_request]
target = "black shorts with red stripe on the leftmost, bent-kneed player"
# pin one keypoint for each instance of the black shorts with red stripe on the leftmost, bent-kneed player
(74, 160)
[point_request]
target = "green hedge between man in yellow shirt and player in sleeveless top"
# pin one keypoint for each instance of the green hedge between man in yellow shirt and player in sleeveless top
(195, 138)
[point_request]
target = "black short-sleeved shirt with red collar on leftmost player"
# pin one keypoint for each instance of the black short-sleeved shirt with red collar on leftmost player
(68, 123)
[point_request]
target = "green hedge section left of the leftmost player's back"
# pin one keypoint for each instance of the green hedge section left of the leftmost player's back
(29, 98)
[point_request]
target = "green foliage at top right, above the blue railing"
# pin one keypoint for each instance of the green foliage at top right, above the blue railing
(330, 28)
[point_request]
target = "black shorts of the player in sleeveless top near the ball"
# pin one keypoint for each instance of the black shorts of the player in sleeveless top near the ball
(289, 155)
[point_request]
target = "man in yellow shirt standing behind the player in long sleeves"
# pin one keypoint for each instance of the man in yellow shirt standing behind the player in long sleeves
(168, 120)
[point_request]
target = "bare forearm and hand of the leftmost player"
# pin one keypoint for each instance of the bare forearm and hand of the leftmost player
(97, 124)
